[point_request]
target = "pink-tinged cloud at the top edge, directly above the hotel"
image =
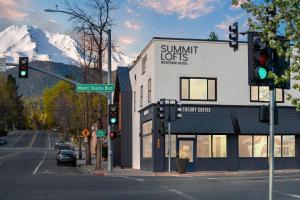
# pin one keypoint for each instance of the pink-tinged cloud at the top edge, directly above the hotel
(190, 9)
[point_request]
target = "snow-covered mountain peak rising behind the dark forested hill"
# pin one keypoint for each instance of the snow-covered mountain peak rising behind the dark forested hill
(37, 44)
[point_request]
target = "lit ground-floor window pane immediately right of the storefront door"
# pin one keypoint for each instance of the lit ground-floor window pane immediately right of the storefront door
(204, 146)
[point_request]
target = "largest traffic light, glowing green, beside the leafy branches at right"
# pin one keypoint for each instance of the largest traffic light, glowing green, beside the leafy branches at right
(259, 60)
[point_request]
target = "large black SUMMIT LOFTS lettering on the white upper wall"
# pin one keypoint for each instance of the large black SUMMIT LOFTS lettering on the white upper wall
(176, 54)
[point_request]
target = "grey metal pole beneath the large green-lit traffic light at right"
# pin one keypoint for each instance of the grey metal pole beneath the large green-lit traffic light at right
(271, 149)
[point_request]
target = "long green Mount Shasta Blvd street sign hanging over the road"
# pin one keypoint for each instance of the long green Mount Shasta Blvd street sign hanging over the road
(95, 87)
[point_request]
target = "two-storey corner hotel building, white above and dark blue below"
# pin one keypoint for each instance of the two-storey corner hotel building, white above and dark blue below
(220, 128)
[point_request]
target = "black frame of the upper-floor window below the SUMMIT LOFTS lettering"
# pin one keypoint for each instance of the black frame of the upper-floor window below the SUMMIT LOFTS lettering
(189, 86)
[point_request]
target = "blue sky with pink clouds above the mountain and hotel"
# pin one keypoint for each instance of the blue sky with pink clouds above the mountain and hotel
(136, 21)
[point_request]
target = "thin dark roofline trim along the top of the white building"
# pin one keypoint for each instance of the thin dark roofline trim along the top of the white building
(178, 39)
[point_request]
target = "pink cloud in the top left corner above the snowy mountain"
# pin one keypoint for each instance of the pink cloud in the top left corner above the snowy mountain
(9, 9)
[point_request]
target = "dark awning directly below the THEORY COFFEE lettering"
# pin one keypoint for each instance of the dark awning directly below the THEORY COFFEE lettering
(203, 123)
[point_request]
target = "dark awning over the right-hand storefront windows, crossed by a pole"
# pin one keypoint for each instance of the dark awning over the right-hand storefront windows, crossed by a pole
(250, 124)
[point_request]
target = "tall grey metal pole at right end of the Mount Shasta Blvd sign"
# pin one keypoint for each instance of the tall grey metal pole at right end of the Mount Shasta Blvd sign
(109, 100)
